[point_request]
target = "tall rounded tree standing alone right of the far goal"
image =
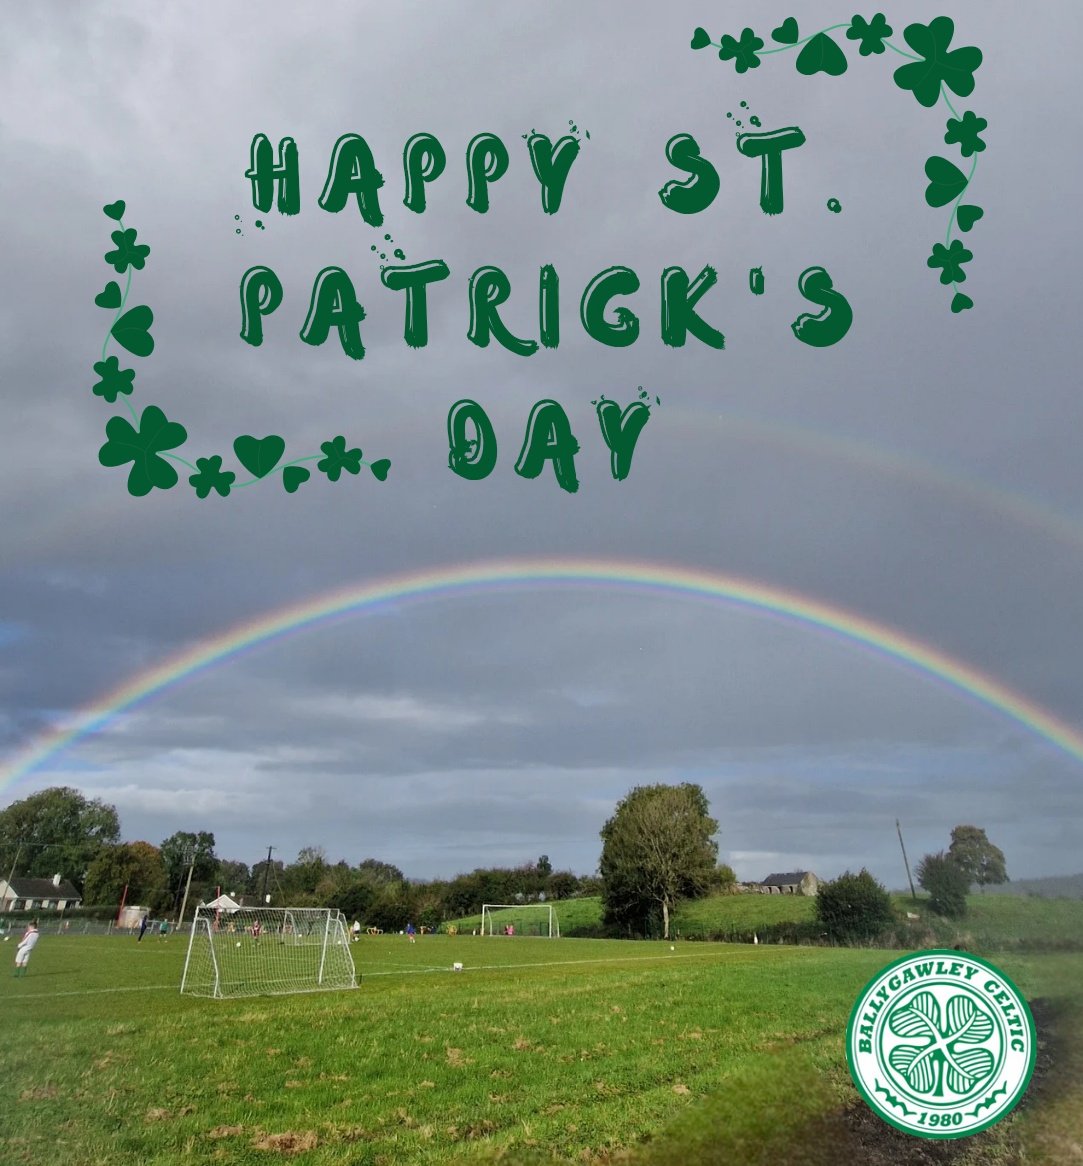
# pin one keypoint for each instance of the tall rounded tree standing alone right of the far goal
(657, 849)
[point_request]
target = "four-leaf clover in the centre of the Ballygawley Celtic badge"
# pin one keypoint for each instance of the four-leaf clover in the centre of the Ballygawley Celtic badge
(943, 1053)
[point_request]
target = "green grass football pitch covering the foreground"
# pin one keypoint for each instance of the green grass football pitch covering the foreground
(538, 1051)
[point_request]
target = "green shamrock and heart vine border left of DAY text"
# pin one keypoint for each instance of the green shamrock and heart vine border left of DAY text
(146, 440)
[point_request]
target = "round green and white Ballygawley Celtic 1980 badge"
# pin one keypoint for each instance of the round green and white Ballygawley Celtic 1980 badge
(941, 1044)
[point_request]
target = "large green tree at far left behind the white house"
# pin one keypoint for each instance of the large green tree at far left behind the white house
(57, 832)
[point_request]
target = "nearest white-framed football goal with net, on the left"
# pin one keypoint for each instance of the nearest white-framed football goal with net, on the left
(268, 952)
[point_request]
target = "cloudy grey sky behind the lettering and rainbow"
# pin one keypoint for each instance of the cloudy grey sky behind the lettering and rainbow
(924, 474)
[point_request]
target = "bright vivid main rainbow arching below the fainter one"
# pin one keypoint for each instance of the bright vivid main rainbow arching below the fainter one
(502, 575)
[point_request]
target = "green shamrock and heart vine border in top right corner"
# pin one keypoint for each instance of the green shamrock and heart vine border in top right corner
(931, 72)
